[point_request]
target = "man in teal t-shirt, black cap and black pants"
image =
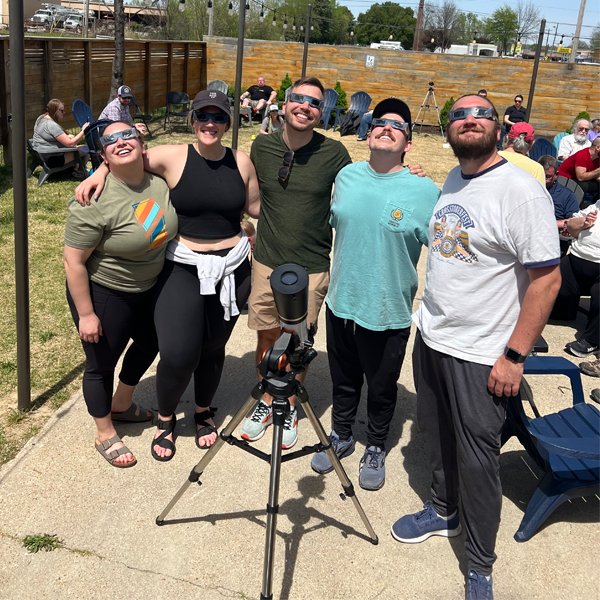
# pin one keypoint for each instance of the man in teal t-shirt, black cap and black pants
(381, 215)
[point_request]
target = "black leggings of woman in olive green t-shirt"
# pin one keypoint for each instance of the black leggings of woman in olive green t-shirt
(123, 316)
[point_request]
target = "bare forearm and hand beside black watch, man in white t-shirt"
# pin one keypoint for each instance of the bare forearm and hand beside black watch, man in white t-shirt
(544, 284)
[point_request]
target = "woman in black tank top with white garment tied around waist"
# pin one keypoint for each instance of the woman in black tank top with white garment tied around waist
(211, 187)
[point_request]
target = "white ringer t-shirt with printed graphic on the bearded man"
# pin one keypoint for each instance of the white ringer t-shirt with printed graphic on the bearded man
(486, 231)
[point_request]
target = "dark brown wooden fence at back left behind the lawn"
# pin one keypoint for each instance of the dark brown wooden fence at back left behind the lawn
(71, 69)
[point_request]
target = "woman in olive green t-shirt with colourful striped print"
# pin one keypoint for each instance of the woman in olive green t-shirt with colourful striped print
(114, 252)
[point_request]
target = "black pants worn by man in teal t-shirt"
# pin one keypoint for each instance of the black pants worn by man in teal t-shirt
(354, 352)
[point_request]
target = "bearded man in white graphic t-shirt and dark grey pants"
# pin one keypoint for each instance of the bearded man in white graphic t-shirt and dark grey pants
(492, 276)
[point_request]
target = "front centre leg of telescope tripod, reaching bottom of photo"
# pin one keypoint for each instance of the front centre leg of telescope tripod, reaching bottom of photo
(280, 410)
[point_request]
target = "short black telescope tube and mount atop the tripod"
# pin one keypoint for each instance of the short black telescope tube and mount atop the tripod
(294, 346)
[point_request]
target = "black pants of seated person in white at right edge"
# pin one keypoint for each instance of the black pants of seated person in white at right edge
(580, 277)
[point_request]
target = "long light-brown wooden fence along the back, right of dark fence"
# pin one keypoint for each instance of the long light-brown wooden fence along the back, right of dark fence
(560, 93)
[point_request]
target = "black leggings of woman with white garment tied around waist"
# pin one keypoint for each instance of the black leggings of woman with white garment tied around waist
(192, 333)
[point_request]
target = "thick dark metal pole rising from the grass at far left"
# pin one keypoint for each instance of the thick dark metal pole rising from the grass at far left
(17, 84)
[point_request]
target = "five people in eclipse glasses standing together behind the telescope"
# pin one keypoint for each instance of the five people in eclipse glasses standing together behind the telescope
(492, 276)
